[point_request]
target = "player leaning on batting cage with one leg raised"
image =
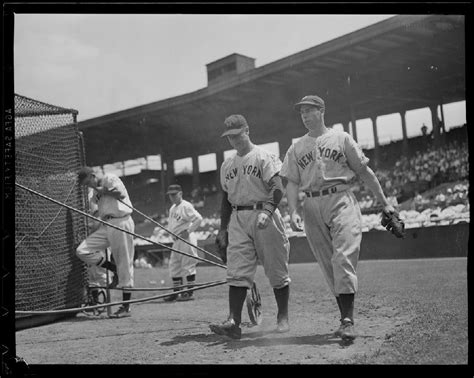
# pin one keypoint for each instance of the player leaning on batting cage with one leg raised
(112, 199)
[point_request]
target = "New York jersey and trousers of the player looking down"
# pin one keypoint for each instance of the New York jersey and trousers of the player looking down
(245, 179)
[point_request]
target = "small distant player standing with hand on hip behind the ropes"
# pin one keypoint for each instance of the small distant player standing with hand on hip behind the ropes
(184, 219)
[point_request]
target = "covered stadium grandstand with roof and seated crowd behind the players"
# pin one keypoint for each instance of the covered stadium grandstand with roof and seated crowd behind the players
(404, 63)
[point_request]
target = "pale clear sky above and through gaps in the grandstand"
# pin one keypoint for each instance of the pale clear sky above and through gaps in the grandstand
(104, 63)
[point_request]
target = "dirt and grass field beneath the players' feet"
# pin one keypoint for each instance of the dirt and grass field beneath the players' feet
(407, 312)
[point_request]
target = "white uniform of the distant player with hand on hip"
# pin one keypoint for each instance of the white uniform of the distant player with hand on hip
(180, 219)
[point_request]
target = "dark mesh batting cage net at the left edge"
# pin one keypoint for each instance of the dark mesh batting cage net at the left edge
(48, 153)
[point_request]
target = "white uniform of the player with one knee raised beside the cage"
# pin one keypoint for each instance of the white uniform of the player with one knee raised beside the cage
(91, 250)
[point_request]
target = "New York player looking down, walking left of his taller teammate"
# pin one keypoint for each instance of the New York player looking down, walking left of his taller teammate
(252, 190)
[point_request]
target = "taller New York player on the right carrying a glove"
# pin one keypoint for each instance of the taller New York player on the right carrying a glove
(323, 164)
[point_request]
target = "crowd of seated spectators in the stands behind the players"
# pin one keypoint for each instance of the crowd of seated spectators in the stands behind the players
(429, 187)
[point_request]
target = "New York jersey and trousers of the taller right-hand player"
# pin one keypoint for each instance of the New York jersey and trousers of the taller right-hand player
(332, 221)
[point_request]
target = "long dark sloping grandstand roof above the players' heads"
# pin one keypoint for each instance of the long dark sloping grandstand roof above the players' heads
(403, 63)
